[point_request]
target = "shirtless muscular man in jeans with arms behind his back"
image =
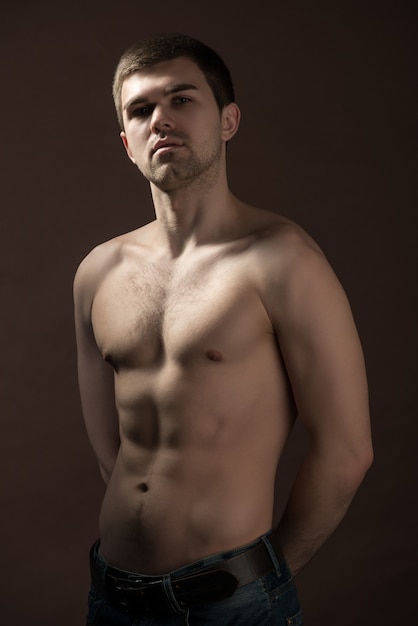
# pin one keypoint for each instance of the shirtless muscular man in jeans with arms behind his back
(200, 338)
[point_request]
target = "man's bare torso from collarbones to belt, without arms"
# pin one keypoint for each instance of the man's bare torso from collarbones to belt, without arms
(203, 402)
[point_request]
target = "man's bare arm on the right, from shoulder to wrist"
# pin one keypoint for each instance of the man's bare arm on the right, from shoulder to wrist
(323, 356)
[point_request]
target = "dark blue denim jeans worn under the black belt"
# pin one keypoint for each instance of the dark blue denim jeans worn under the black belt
(268, 601)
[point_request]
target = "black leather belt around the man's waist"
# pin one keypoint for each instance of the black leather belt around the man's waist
(137, 594)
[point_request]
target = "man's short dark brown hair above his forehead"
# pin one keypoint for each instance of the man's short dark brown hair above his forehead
(165, 47)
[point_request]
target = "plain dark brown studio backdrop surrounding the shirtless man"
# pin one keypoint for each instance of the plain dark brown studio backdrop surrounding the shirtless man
(328, 137)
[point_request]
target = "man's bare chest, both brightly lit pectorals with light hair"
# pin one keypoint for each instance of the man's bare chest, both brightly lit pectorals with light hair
(144, 315)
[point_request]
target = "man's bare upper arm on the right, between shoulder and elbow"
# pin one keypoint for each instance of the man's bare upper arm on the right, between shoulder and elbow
(325, 362)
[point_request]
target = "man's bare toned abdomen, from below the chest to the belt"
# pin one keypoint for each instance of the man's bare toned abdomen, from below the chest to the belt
(204, 481)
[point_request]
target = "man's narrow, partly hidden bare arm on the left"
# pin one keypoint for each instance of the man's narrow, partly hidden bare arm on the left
(95, 376)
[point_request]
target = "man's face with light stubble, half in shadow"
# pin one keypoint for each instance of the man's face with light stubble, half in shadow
(174, 131)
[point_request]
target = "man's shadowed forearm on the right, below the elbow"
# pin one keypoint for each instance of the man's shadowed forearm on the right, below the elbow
(319, 500)
